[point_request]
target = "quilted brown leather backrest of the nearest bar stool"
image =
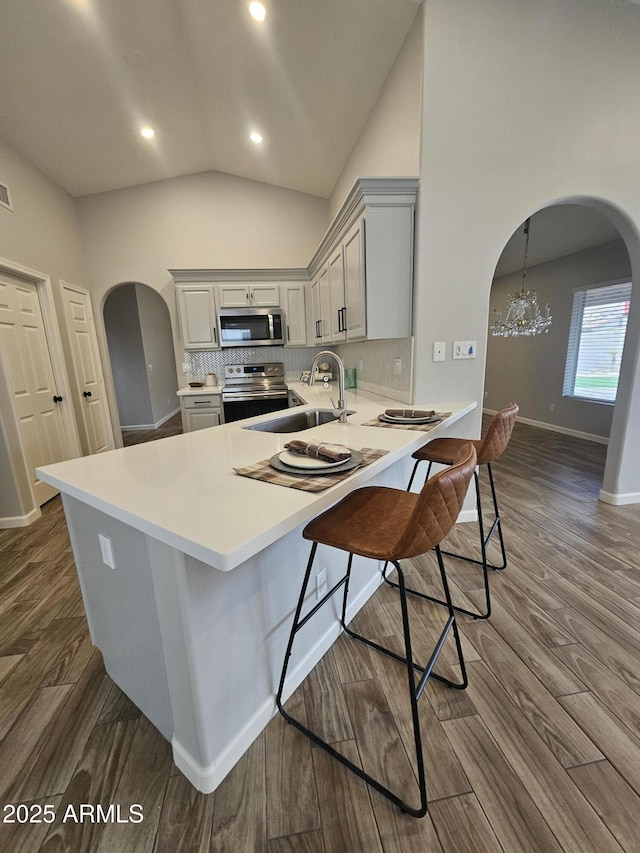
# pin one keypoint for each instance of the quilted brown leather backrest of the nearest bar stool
(438, 506)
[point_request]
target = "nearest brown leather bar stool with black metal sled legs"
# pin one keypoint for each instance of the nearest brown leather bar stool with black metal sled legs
(391, 525)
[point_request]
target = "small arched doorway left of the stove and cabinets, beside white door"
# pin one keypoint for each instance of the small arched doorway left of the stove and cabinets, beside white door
(140, 344)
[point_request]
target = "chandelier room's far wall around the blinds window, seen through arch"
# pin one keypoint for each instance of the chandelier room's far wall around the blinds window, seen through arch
(531, 370)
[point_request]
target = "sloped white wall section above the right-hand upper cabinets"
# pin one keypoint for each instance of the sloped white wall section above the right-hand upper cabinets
(389, 144)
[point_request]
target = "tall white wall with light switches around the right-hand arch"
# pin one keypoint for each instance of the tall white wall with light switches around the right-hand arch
(523, 104)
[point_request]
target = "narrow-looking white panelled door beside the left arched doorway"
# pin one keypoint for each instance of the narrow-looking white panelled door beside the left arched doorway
(87, 368)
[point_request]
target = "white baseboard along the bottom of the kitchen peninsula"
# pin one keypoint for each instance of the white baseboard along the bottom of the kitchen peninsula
(207, 779)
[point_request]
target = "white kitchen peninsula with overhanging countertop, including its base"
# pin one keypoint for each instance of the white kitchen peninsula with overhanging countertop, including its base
(190, 573)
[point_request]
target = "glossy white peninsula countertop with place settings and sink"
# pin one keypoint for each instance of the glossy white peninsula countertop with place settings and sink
(184, 492)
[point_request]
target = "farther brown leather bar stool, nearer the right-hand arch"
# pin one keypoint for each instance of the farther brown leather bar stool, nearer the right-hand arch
(488, 449)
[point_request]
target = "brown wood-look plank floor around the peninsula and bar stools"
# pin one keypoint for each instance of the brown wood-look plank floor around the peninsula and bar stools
(541, 753)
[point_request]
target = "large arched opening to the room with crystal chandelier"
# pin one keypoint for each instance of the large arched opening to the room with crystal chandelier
(574, 248)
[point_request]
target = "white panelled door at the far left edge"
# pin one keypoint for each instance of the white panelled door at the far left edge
(28, 362)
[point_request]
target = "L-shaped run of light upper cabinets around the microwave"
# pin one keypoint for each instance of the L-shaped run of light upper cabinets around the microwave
(361, 277)
